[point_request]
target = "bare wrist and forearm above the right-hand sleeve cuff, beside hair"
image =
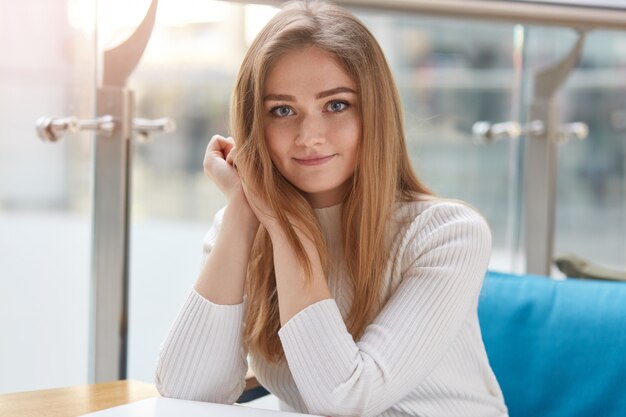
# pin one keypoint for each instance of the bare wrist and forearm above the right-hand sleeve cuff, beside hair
(293, 293)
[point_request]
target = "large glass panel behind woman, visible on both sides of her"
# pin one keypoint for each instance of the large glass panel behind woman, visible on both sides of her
(451, 74)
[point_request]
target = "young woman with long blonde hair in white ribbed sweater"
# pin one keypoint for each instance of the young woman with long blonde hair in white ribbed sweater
(351, 287)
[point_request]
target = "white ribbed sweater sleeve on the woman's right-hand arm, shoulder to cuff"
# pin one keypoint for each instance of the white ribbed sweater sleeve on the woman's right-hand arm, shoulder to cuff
(447, 259)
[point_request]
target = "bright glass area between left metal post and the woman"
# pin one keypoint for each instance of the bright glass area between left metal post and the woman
(187, 73)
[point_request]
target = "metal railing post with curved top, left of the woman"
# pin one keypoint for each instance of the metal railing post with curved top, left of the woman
(112, 174)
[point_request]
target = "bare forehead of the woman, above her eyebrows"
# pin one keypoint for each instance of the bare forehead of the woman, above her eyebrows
(309, 69)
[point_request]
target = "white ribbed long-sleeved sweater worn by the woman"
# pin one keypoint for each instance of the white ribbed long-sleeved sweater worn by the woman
(422, 355)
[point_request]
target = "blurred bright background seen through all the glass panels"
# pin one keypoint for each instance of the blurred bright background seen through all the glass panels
(451, 73)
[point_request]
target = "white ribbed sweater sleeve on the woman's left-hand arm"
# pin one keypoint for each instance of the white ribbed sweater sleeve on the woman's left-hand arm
(203, 358)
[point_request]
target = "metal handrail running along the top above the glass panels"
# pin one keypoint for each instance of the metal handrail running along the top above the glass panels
(548, 14)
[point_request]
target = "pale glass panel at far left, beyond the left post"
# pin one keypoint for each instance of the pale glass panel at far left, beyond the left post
(47, 69)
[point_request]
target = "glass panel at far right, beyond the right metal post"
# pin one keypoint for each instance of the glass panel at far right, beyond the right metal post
(591, 190)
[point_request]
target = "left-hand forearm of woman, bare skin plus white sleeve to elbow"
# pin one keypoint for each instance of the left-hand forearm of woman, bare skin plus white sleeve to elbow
(203, 357)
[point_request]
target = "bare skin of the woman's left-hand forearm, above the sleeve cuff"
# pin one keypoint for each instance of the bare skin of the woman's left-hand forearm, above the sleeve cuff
(223, 275)
